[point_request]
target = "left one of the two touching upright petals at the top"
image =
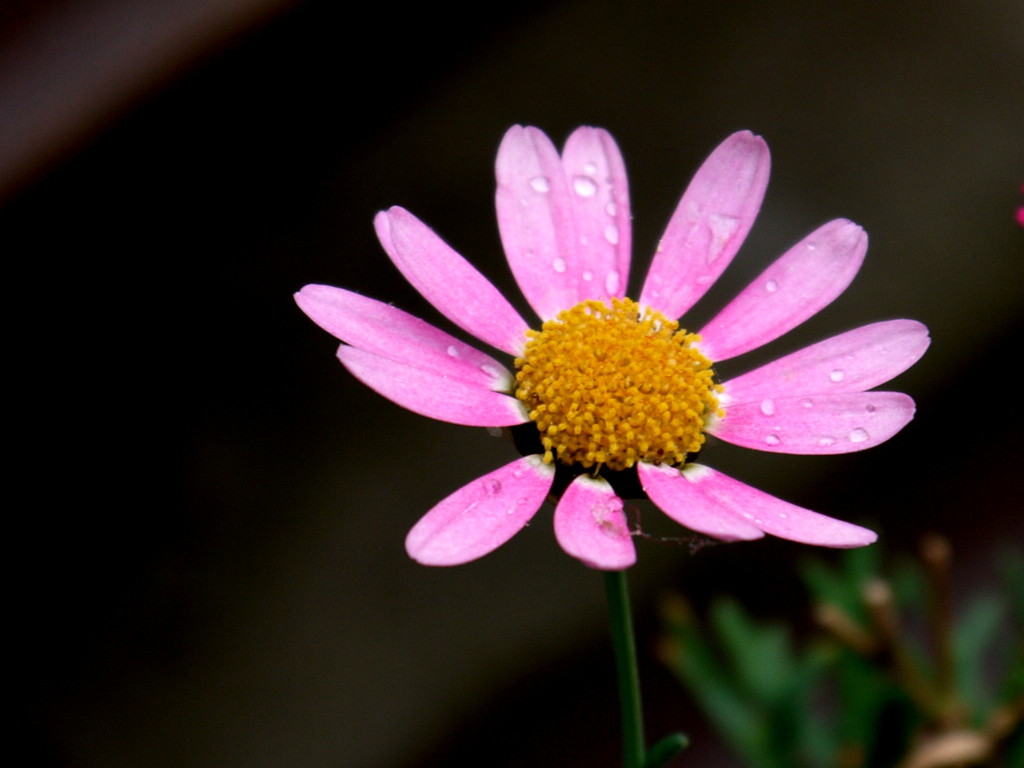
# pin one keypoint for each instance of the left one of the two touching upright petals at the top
(535, 218)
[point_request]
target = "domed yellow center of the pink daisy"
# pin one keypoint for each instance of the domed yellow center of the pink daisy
(616, 386)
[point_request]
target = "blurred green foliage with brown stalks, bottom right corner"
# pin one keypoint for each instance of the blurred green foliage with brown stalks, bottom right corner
(893, 671)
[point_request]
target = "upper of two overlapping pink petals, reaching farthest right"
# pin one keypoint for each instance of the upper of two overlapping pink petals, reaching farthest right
(854, 362)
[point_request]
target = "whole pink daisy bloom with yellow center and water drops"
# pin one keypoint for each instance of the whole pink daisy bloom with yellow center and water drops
(610, 391)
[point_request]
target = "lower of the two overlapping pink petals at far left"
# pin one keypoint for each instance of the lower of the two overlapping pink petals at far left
(432, 394)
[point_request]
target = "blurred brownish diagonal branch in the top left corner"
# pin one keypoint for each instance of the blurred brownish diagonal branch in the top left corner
(70, 69)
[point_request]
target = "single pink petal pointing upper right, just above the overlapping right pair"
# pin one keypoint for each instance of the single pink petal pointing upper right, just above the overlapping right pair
(800, 284)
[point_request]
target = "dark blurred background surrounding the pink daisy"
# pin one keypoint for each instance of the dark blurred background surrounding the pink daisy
(209, 513)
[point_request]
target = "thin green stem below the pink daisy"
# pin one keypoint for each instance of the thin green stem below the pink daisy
(626, 668)
